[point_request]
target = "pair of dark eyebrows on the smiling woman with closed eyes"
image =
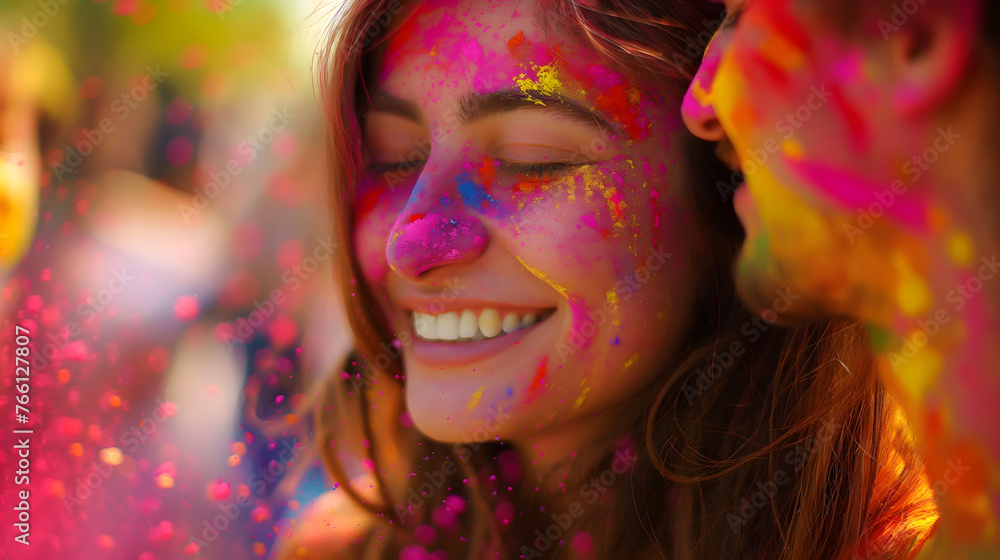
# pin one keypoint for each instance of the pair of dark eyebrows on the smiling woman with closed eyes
(473, 107)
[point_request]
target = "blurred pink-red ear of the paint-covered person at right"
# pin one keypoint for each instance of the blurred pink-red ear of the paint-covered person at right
(930, 51)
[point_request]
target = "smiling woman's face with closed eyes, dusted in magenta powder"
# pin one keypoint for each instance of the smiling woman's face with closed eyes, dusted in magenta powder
(520, 221)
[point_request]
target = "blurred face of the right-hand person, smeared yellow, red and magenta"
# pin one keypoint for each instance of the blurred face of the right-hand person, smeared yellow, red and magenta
(816, 118)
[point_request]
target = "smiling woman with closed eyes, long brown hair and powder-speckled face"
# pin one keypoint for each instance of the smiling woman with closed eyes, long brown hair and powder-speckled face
(551, 360)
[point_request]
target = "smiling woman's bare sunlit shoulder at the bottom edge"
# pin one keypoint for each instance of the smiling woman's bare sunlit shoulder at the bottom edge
(334, 525)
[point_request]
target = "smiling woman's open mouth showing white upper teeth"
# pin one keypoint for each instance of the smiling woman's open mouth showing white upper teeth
(468, 325)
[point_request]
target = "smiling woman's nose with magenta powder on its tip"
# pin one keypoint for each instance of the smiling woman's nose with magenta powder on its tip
(434, 230)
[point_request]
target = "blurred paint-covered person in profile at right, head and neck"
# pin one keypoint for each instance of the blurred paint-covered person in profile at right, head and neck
(864, 137)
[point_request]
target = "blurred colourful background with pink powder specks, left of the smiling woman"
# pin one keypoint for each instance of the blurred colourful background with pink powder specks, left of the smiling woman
(164, 242)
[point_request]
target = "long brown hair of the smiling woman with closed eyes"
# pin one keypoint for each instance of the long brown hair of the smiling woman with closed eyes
(788, 449)
